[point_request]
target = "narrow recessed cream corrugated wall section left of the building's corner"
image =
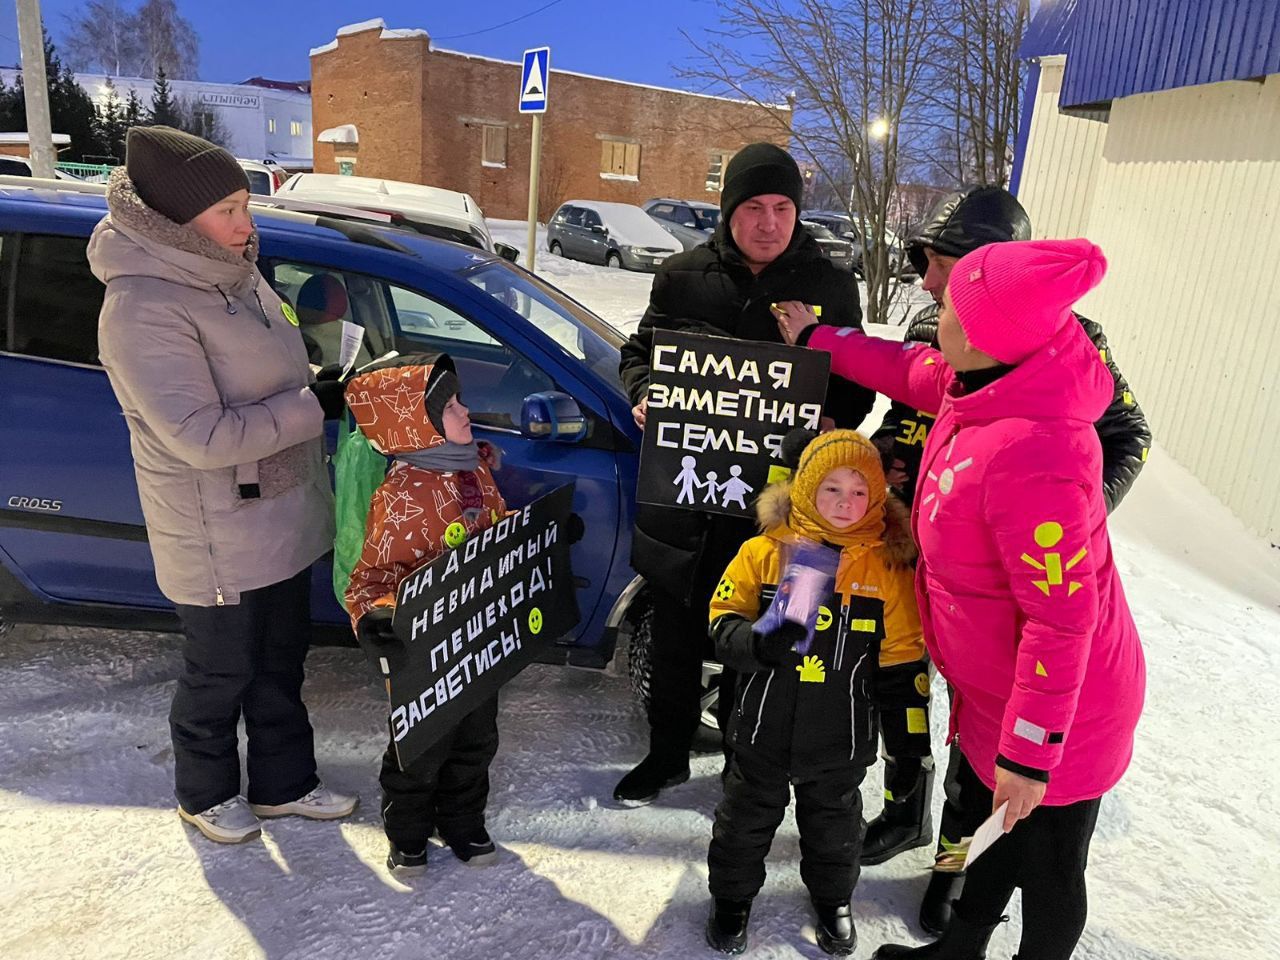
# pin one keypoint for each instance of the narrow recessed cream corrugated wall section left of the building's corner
(1059, 171)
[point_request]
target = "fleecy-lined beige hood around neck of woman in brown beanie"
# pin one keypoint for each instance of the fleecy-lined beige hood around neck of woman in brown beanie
(136, 241)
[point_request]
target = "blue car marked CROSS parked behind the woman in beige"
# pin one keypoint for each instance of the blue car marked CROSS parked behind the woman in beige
(74, 547)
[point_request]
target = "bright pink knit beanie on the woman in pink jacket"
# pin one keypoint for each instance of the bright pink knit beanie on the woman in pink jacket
(1012, 299)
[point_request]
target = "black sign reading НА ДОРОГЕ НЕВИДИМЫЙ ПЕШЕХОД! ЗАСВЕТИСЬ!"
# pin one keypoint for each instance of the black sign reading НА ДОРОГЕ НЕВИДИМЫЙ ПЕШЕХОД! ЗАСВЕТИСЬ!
(477, 616)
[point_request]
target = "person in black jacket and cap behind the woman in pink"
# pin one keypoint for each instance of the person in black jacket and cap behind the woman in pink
(961, 223)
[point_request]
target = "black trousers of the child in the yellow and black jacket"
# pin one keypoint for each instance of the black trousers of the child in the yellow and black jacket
(829, 813)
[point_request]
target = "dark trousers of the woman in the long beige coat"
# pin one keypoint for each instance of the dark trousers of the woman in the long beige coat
(246, 660)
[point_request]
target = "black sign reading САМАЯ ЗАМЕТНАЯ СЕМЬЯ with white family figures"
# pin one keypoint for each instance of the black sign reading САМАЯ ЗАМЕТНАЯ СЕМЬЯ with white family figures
(719, 410)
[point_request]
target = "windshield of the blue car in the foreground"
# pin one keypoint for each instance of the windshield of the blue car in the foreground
(577, 331)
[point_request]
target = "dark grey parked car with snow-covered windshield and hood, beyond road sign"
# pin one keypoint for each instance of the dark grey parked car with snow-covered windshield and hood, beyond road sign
(615, 235)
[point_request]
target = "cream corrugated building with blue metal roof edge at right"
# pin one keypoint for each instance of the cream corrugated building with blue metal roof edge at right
(1172, 164)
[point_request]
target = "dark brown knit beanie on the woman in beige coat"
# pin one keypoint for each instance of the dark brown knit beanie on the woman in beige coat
(179, 175)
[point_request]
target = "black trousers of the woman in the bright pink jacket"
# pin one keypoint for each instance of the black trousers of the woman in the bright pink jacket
(1045, 856)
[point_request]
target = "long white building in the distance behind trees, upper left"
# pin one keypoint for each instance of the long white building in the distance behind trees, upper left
(263, 120)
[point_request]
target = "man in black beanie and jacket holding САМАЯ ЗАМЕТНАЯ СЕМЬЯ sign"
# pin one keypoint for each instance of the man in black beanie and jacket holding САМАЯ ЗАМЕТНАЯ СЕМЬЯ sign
(728, 287)
